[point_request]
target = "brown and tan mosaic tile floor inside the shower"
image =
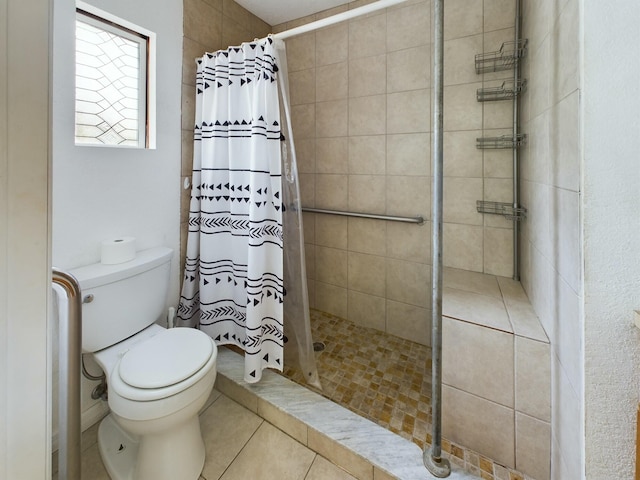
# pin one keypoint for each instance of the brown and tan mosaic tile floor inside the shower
(387, 380)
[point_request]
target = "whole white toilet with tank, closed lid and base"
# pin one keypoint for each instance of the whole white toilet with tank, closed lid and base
(157, 379)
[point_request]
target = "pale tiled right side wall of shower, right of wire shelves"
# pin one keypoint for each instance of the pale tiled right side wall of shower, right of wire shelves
(551, 235)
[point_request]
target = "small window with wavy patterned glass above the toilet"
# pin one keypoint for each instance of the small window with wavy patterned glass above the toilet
(111, 84)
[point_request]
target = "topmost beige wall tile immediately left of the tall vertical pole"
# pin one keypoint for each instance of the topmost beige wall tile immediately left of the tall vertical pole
(409, 27)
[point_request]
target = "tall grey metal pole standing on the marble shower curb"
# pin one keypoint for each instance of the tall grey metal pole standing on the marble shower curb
(432, 457)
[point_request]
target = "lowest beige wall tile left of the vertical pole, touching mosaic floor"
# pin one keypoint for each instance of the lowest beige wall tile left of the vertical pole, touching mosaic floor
(409, 321)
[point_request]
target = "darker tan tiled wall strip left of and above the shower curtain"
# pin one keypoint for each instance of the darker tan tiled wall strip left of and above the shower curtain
(209, 25)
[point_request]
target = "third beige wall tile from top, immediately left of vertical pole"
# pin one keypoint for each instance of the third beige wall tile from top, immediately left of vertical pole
(408, 112)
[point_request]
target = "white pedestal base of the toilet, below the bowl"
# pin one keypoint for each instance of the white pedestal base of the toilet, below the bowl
(129, 457)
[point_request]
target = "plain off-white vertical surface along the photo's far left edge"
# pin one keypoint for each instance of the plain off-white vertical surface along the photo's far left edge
(25, 270)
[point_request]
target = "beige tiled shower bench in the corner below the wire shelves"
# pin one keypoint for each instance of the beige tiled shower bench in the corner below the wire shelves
(496, 372)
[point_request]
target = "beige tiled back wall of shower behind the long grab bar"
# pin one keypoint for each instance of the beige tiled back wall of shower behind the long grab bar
(361, 107)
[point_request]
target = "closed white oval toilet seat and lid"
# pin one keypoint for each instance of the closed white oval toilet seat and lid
(163, 365)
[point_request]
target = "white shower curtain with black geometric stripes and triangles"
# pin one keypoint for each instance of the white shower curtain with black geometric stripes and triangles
(234, 285)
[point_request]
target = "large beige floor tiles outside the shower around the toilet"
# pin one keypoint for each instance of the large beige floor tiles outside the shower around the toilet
(240, 445)
